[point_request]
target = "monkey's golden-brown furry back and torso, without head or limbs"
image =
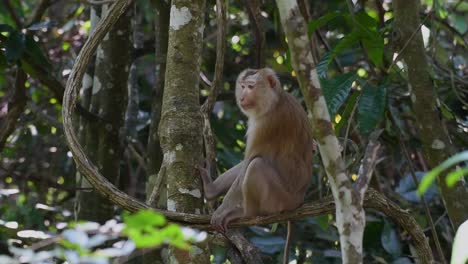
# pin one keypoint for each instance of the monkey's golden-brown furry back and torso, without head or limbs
(283, 137)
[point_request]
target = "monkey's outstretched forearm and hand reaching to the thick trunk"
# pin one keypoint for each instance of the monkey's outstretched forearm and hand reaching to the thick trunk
(222, 184)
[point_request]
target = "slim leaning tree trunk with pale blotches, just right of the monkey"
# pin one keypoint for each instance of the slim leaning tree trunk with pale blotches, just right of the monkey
(350, 215)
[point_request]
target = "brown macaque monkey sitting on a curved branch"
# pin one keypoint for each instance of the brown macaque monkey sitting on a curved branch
(277, 168)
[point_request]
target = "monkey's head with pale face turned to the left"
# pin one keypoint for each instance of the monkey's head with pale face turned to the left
(257, 91)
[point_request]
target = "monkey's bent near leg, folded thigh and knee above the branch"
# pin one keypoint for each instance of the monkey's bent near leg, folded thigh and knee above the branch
(263, 191)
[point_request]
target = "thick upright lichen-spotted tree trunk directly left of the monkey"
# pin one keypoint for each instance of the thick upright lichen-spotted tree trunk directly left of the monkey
(180, 128)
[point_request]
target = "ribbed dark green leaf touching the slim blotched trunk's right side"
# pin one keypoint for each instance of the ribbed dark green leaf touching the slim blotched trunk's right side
(336, 91)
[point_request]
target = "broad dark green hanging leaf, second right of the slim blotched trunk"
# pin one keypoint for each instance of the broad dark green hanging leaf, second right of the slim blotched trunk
(371, 108)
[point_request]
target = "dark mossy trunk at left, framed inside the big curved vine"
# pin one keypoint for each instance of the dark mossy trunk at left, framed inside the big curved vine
(109, 94)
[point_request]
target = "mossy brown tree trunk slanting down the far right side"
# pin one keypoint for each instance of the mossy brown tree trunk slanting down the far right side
(436, 142)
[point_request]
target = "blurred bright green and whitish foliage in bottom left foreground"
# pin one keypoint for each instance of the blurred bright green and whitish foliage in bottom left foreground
(89, 242)
